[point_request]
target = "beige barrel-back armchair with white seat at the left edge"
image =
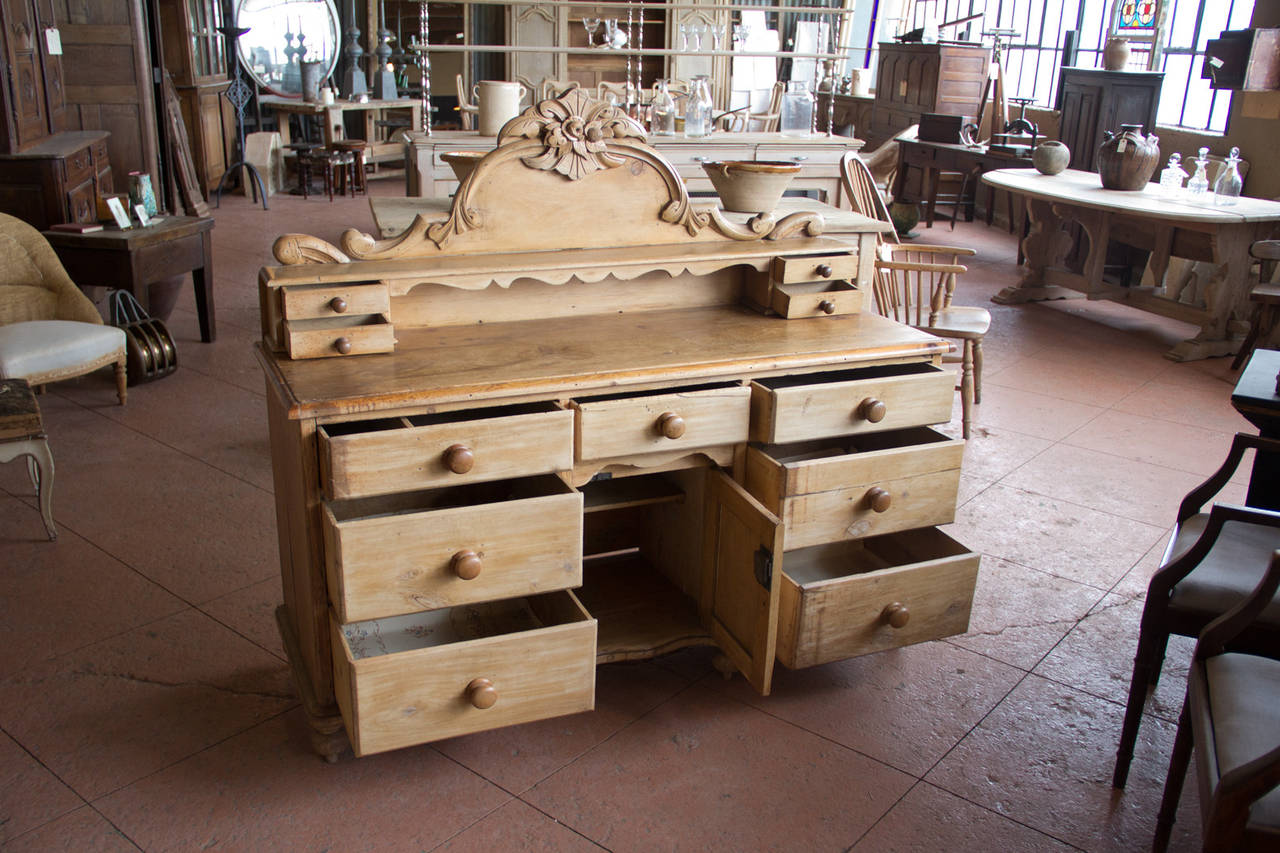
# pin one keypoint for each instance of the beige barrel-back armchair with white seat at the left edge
(49, 330)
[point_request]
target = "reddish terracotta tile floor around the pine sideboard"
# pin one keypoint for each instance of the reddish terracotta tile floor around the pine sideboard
(145, 701)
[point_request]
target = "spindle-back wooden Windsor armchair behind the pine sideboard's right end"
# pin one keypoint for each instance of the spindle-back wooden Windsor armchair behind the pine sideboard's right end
(915, 285)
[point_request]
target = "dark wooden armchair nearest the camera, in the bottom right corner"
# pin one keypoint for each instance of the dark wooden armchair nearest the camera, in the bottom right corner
(1232, 715)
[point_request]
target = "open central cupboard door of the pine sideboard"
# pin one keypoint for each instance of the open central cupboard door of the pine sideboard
(743, 578)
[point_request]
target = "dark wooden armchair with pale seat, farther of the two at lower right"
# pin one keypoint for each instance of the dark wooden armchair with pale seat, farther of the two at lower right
(1210, 565)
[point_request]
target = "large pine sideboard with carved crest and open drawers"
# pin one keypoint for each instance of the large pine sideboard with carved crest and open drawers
(583, 421)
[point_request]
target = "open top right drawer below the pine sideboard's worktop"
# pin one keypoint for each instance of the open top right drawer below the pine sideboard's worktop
(865, 400)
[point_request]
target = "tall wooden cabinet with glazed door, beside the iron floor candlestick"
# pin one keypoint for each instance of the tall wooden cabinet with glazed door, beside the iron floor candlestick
(195, 54)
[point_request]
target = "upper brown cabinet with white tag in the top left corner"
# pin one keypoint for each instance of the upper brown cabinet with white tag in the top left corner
(33, 98)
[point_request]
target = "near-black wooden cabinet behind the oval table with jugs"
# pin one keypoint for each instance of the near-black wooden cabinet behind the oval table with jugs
(1094, 102)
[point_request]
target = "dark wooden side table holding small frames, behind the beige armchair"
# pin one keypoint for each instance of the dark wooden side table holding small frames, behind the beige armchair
(134, 259)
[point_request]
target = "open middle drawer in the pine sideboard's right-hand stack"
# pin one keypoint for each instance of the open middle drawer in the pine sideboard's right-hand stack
(833, 490)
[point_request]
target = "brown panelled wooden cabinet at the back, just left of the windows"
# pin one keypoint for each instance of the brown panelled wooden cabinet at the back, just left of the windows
(917, 79)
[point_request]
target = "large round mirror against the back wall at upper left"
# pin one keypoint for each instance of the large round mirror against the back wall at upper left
(281, 35)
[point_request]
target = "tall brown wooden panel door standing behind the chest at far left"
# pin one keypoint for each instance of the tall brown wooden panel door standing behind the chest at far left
(108, 70)
